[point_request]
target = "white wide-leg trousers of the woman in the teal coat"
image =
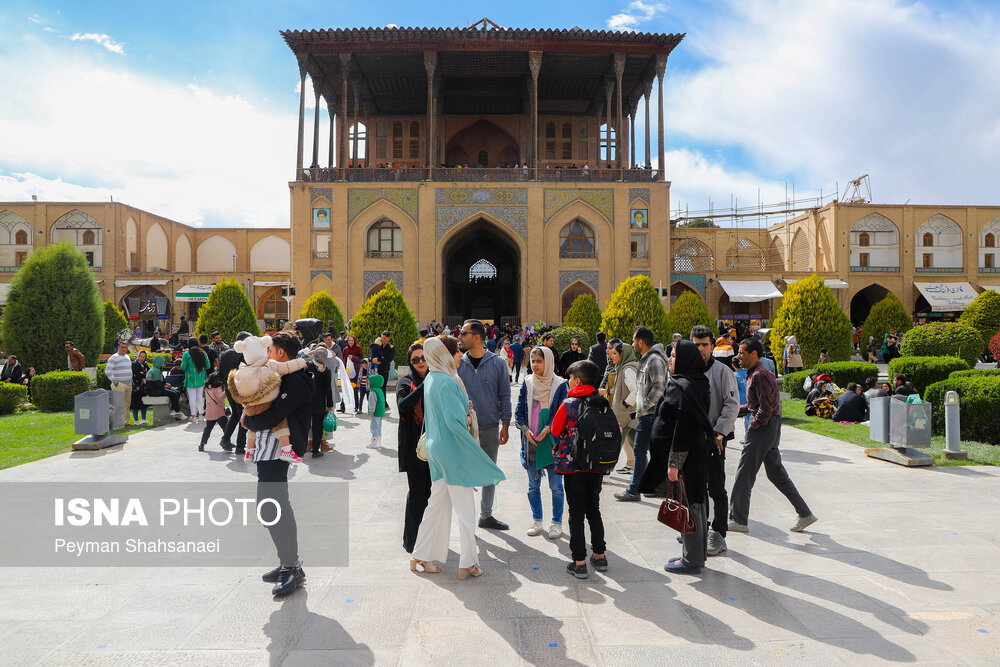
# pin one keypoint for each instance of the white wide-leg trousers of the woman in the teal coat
(435, 528)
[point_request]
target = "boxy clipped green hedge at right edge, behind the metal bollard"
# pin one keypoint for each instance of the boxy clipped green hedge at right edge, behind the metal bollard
(978, 414)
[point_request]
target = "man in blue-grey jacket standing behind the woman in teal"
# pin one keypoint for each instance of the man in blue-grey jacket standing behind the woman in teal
(488, 384)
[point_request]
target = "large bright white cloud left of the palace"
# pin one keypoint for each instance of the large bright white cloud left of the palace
(79, 131)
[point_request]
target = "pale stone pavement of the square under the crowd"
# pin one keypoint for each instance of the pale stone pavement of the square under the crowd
(901, 568)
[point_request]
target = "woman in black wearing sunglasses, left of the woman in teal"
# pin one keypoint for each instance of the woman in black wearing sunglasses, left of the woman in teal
(410, 401)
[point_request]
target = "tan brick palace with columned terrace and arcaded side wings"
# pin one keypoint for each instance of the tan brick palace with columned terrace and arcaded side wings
(495, 173)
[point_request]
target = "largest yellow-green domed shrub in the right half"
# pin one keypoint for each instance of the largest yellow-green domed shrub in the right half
(810, 312)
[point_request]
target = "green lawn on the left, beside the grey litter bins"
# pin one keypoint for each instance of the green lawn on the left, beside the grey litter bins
(31, 435)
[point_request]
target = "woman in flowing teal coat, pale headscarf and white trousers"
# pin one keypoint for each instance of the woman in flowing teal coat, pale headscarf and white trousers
(457, 463)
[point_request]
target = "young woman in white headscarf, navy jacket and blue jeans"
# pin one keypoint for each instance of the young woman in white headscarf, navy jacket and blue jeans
(541, 395)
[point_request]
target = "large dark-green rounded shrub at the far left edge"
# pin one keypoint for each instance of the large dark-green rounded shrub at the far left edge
(52, 299)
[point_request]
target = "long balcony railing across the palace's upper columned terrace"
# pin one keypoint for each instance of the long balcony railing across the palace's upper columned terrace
(475, 175)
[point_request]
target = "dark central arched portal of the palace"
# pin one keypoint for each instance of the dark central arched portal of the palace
(481, 274)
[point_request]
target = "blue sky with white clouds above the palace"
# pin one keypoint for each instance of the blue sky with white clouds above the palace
(189, 109)
